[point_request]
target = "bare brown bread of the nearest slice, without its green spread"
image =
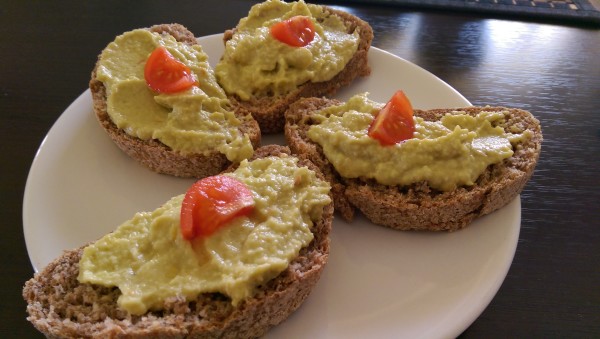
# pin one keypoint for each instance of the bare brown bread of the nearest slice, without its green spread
(61, 307)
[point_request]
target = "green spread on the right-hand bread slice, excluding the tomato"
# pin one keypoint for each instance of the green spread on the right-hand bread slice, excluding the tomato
(448, 153)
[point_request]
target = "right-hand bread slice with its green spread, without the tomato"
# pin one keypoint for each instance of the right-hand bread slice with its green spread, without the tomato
(401, 197)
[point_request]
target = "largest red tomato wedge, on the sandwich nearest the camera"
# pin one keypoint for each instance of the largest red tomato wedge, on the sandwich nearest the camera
(212, 202)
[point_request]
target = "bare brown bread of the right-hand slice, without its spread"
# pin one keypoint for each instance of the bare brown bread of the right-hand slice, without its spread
(417, 206)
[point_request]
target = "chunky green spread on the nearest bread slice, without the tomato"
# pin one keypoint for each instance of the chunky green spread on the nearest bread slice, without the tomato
(149, 261)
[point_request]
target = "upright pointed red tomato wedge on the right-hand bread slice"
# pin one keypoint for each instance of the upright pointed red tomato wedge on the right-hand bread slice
(394, 122)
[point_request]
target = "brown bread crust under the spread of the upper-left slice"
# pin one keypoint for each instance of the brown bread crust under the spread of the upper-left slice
(154, 154)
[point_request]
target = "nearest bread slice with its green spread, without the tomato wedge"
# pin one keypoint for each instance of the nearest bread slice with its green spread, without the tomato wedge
(61, 306)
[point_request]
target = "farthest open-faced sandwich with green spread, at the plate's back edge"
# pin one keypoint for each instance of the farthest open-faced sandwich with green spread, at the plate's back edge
(264, 75)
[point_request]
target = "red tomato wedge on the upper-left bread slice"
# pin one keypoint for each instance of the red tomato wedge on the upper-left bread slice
(165, 74)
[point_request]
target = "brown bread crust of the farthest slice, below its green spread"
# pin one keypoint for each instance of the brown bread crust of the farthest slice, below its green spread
(269, 111)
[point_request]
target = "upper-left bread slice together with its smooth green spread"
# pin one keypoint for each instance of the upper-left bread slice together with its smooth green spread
(189, 132)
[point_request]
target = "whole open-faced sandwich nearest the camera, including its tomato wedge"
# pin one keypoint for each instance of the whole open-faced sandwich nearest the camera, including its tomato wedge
(231, 258)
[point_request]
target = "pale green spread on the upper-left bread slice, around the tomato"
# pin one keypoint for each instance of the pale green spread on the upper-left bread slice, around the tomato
(197, 120)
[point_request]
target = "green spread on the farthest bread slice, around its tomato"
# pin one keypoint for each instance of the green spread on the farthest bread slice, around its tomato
(256, 65)
